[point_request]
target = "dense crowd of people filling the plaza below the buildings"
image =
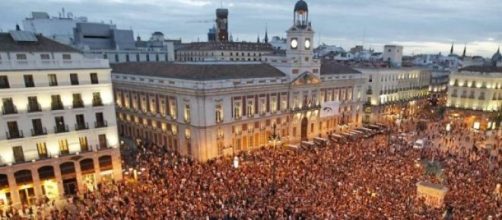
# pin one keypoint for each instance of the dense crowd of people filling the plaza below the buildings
(355, 180)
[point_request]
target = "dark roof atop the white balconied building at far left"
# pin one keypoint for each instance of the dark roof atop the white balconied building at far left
(7, 44)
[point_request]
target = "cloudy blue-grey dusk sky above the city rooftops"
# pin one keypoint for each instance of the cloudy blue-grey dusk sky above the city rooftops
(421, 26)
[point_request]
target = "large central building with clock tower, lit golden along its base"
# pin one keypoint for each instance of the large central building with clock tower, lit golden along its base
(209, 110)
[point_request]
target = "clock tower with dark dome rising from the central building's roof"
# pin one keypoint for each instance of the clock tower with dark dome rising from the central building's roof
(301, 42)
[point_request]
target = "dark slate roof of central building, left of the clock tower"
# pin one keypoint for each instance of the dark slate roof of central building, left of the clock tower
(198, 72)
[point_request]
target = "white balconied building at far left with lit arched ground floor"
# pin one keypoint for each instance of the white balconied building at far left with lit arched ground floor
(58, 133)
